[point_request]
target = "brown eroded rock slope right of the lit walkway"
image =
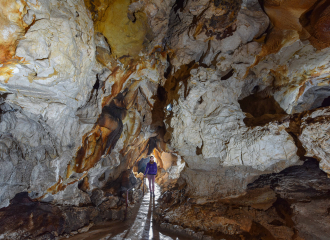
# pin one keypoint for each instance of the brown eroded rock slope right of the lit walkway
(276, 206)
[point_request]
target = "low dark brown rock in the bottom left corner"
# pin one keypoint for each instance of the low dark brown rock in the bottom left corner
(25, 217)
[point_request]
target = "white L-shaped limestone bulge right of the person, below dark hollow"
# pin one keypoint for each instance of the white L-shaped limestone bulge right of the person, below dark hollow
(209, 132)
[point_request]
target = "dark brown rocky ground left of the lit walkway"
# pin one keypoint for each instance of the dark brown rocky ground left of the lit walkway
(26, 218)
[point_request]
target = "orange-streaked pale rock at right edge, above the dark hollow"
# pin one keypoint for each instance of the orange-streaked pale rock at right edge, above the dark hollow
(299, 74)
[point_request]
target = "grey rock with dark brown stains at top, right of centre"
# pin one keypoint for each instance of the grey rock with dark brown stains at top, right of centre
(199, 31)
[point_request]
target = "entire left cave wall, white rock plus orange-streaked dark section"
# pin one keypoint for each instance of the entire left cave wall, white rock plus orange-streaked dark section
(70, 111)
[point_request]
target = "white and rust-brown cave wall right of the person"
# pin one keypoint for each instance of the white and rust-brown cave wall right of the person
(209, 128)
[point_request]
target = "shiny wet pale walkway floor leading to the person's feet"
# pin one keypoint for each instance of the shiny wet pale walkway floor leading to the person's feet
(140, 226)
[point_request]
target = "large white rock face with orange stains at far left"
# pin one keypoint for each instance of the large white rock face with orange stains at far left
(40, 123)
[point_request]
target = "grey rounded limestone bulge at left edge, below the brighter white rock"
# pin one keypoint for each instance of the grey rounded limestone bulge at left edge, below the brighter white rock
(27, 149)
